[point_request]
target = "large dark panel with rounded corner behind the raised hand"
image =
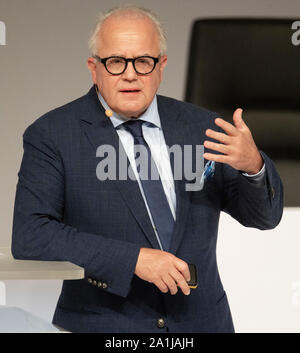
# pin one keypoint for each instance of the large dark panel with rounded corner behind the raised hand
(252, 64)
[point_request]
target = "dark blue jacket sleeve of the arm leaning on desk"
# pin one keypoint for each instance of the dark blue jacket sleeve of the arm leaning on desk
(38, 230)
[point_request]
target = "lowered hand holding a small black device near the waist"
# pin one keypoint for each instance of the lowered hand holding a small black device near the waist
(164, 270)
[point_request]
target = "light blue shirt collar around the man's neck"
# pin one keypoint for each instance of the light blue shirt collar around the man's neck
(150, 115)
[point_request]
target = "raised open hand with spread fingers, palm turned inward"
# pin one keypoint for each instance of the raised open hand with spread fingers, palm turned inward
(237, 145)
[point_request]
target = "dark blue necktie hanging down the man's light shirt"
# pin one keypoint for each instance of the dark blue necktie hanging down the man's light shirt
(152, 187)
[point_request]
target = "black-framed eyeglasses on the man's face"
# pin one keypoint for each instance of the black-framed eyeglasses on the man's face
(116, 65)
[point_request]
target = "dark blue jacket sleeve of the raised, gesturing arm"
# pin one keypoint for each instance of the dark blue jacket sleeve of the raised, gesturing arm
(257, 205)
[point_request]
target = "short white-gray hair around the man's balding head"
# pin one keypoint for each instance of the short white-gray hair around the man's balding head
(129, 11)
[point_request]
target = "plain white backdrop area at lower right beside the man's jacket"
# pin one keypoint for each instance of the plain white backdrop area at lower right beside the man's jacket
(261, 274)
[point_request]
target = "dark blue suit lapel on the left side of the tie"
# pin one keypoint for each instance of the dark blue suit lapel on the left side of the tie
(99, 130)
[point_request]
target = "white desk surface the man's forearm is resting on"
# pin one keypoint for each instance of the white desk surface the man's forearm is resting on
(27, 269)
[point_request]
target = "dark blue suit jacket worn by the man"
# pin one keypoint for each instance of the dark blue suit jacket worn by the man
(64, 213)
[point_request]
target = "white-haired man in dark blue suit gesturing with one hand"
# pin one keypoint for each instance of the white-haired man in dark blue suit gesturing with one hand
(135, 239)
